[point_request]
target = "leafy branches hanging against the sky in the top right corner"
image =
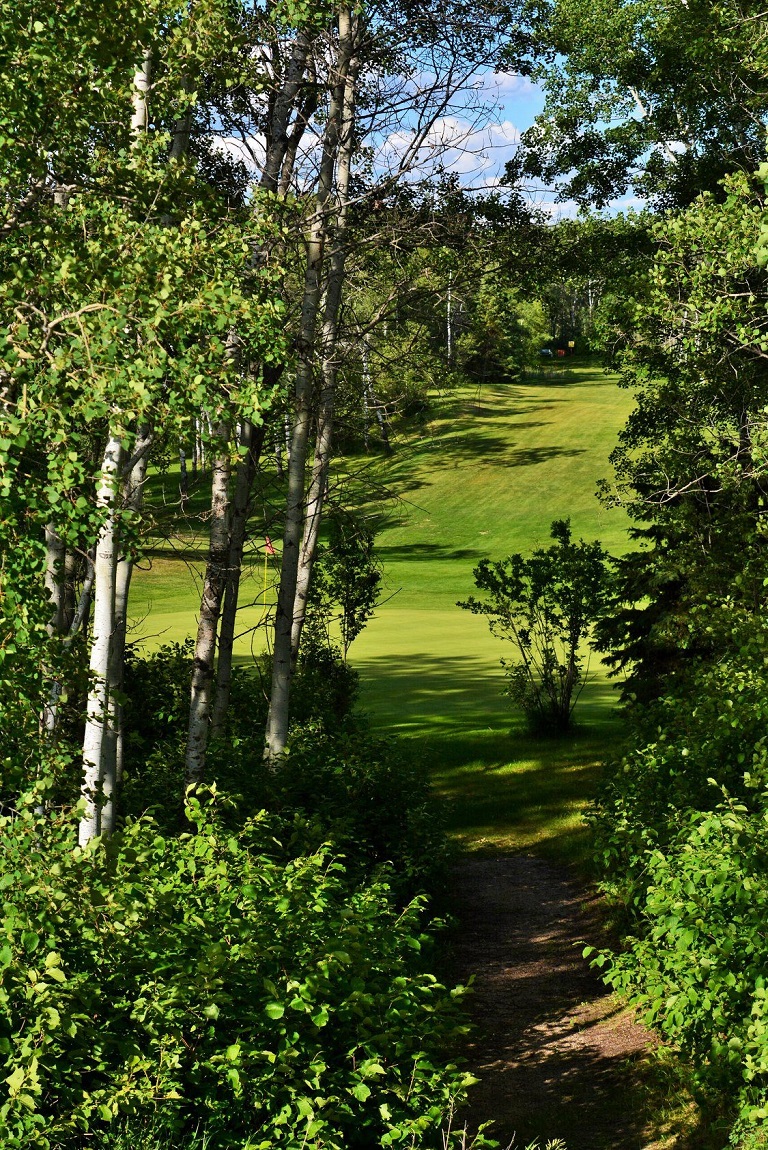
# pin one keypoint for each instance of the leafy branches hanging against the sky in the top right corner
(664, 96)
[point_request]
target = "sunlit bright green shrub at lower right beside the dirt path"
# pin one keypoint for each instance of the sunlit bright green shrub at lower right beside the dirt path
(698, 970)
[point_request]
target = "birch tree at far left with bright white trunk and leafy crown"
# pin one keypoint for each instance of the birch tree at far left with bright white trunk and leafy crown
(114, 333)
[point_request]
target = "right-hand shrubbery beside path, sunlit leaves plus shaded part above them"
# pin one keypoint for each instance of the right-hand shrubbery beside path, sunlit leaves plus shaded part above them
(681, 832)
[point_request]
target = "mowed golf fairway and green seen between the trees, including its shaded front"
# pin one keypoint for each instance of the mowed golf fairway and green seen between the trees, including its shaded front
(485, 474)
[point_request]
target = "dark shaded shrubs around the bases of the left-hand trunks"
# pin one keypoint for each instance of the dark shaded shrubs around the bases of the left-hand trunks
(366, 794)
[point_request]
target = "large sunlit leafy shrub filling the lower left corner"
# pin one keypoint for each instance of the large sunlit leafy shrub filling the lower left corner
(216, 984)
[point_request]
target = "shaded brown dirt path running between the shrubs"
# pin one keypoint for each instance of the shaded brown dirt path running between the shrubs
(556, 1057)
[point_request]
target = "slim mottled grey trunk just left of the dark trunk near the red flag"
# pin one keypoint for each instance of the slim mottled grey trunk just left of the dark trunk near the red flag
(216, 581)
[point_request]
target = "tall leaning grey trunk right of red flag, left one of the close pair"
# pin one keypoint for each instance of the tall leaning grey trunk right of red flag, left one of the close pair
(278, 724)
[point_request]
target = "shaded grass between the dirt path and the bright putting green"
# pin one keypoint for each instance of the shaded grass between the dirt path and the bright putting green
(505, 789)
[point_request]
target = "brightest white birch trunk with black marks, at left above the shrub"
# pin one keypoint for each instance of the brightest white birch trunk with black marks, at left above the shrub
(99, 739)
